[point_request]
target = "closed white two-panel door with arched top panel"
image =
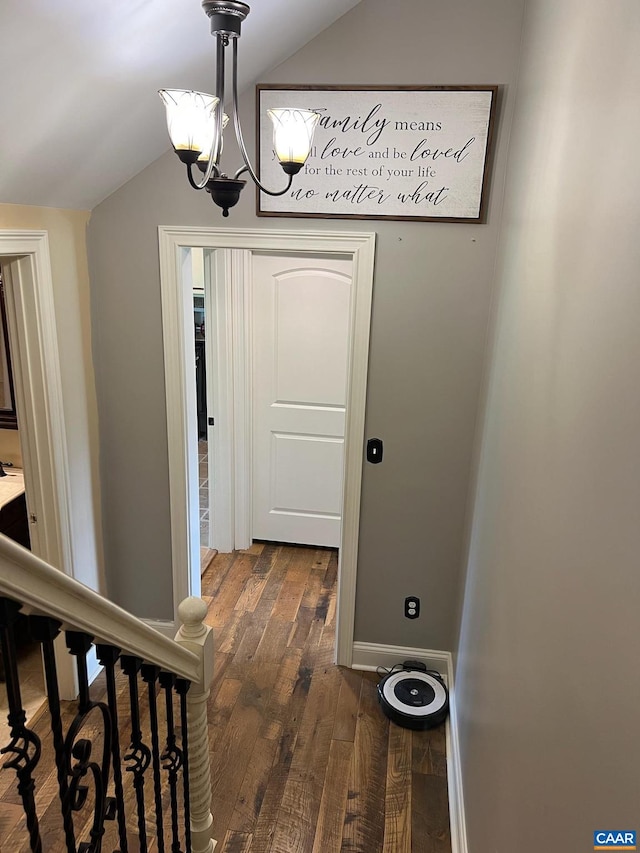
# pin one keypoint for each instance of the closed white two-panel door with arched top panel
(300, 310)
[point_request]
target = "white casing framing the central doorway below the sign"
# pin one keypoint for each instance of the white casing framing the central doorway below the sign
(182, 479)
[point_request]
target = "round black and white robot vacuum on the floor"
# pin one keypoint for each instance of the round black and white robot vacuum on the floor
(413, 696)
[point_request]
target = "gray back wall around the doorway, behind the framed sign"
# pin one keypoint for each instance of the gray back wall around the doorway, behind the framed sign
(432, 293)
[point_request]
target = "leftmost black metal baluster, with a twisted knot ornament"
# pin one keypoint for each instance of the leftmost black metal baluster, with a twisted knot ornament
(25, 744)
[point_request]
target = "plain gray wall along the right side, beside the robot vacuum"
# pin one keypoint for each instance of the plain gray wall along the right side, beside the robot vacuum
(547, 676)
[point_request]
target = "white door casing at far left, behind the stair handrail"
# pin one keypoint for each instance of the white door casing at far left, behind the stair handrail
(38, 389)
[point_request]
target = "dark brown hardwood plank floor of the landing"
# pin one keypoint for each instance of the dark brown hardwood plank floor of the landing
(303, 760)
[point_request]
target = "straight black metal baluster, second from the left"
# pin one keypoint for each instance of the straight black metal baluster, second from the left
(44, 631)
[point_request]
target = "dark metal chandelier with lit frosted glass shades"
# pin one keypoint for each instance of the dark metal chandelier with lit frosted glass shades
(196, 120)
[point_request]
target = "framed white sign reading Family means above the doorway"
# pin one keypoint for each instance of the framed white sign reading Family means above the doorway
(382, 152)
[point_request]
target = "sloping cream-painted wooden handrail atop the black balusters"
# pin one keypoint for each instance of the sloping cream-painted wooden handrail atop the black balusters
(47, 591)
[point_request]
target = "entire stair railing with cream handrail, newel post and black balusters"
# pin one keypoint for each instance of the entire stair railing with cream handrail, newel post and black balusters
(163, 799)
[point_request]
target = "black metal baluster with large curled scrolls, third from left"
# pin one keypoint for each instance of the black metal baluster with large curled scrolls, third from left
(104, 807)
